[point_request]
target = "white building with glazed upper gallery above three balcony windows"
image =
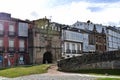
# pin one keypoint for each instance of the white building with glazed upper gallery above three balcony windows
(72, 42)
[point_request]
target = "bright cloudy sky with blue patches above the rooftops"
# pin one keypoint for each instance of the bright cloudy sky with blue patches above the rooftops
(106, 12)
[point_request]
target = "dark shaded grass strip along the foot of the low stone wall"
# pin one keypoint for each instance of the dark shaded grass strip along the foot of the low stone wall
(99, 71)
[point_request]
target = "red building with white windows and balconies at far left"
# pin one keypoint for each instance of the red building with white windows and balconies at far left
(13, 41)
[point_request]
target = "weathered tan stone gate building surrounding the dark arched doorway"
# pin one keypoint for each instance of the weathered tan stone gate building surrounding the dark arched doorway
(44, 39)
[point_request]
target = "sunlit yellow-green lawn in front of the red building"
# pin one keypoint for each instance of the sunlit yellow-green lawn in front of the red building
(24, 70)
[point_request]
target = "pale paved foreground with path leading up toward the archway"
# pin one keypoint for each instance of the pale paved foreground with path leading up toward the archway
(53, 74)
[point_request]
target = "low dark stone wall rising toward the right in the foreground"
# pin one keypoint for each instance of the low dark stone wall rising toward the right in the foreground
(109, 60)
